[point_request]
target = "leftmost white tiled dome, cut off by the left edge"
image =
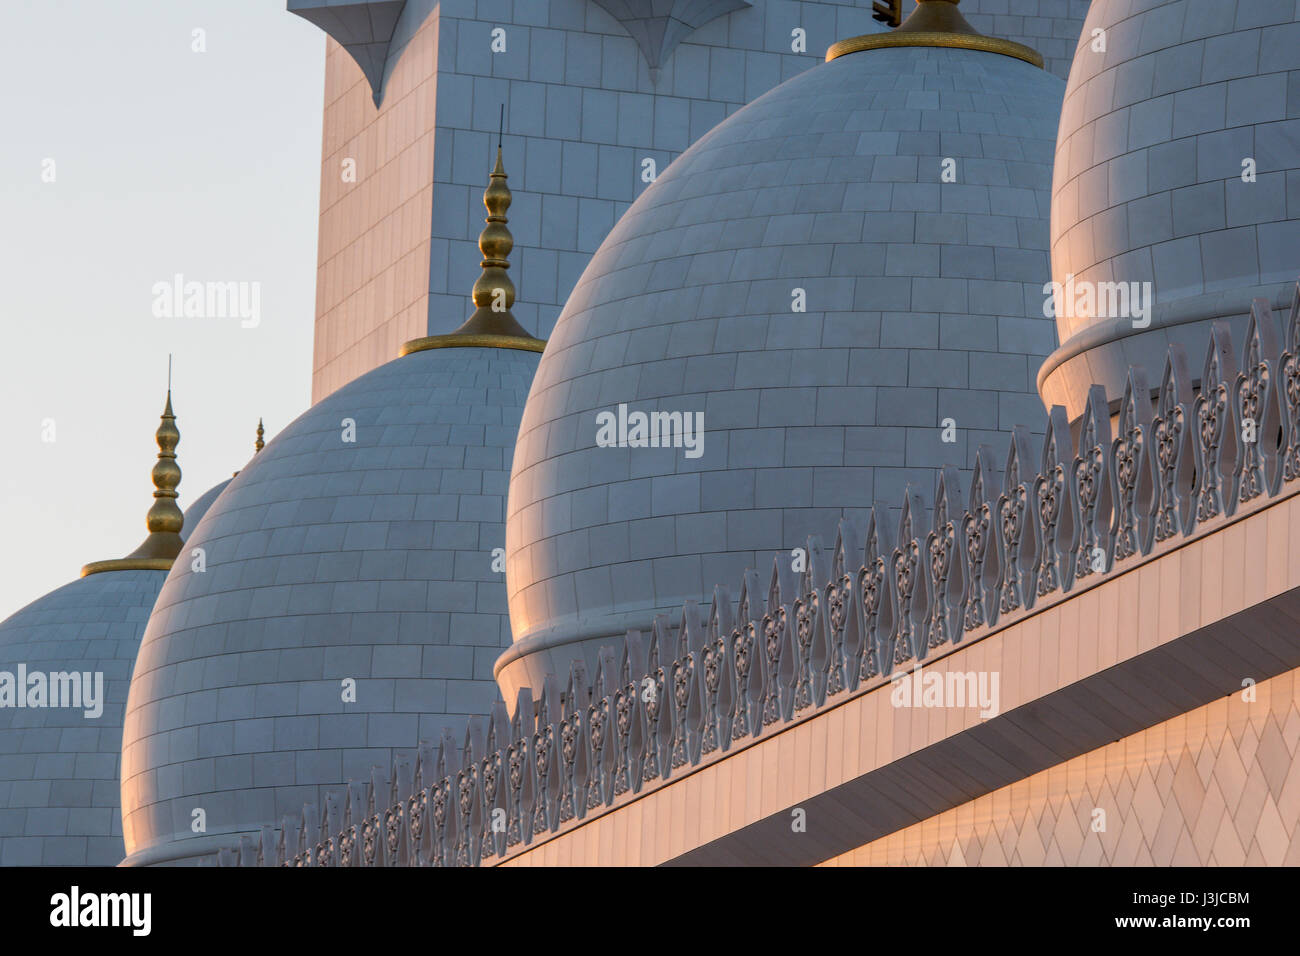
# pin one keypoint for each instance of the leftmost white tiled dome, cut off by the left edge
(59, 784)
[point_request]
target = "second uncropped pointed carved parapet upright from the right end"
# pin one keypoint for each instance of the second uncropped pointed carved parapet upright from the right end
(1216, 427)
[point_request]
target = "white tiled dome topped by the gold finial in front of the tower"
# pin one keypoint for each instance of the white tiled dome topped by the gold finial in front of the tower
(328, 560)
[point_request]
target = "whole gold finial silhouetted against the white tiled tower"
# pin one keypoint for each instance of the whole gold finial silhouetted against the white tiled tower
(492, 326)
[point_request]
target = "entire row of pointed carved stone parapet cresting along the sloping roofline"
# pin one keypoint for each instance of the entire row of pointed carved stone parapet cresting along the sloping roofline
(916, 587)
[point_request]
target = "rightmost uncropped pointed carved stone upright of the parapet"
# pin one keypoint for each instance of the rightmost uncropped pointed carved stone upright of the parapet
(1258, 413)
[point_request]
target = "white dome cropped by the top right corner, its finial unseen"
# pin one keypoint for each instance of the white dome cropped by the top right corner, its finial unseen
(1160, 137)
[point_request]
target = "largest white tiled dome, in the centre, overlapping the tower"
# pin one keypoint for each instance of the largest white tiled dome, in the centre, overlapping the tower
(924, 302)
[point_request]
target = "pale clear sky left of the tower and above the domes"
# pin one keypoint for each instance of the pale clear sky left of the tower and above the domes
(167, 162)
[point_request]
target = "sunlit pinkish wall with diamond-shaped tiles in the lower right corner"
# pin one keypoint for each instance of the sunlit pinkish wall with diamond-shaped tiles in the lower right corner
(1216, 788)
